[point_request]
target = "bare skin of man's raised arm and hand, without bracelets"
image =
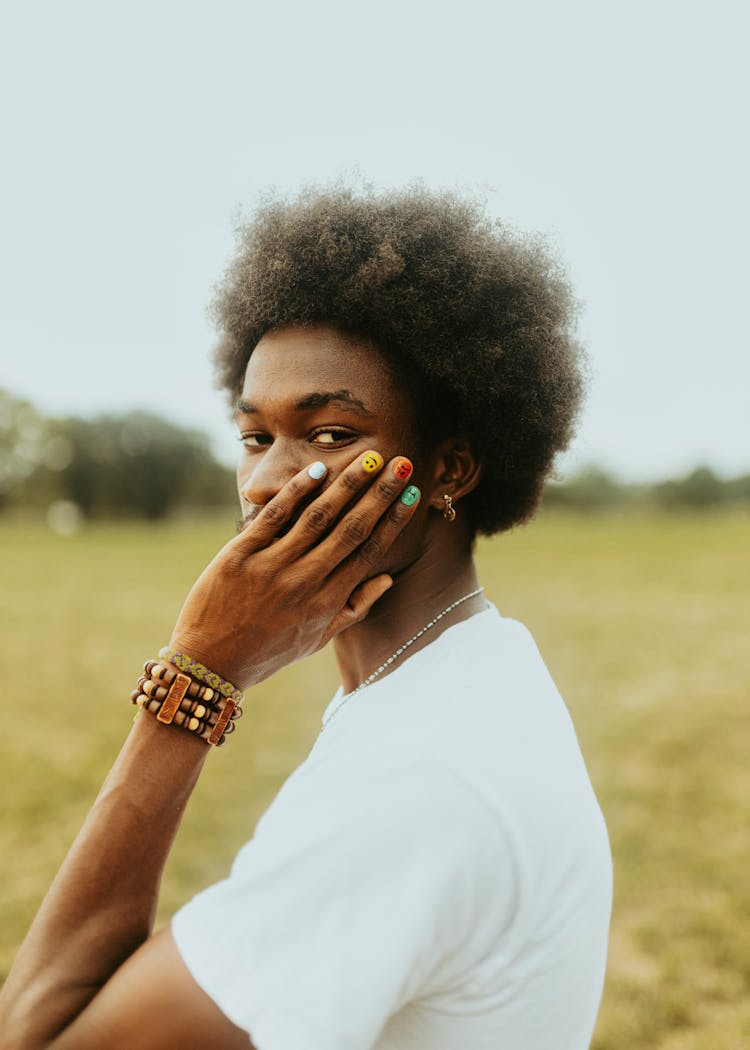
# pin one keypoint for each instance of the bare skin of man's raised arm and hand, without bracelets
(265, 601)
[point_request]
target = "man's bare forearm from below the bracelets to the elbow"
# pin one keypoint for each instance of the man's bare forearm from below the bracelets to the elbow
(101, 906)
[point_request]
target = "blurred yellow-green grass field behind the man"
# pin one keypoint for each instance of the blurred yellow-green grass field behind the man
(644, 623)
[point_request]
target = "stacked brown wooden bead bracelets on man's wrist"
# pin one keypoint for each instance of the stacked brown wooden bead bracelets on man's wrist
(179, 700)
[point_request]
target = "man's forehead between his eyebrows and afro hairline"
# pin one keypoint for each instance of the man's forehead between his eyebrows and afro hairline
(290, 364)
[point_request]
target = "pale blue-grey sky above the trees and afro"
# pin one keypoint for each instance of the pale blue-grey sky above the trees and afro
(135, 133)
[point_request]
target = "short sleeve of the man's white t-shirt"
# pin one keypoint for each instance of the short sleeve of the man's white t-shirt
(358, 894)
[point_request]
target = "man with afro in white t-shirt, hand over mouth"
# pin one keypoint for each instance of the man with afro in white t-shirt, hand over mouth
(437, 873)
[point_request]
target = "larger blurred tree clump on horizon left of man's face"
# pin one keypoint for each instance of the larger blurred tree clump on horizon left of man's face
(132, 466)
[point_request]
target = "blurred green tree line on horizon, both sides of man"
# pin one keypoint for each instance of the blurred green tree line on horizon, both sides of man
(141, 466)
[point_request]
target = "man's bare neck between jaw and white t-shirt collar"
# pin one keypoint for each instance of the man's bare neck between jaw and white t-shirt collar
(420, 593)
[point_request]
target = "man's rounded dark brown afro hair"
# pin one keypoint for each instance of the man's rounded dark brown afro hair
(480, 318)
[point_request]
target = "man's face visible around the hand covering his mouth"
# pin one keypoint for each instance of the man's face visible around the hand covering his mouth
(315, 394)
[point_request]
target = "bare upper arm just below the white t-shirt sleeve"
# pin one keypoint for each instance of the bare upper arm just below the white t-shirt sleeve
(153, 1003)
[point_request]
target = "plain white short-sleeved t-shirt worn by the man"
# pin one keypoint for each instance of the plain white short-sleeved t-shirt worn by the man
(435, 876)
